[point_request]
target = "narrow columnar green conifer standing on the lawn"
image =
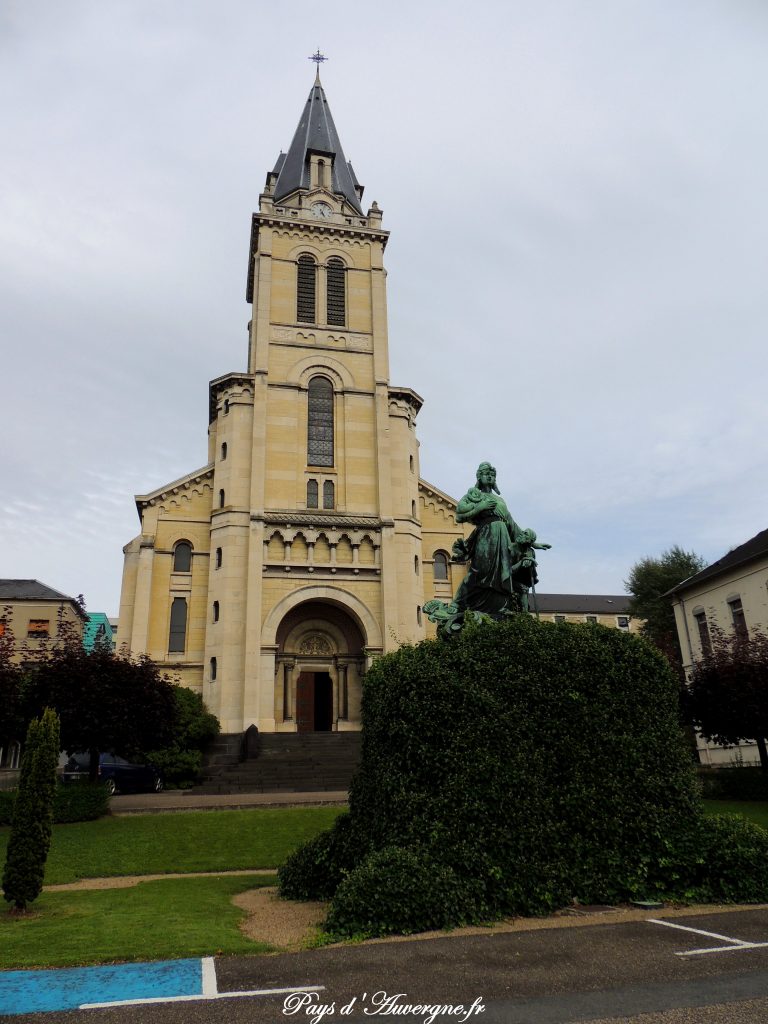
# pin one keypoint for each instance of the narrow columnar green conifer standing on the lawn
(33, 814)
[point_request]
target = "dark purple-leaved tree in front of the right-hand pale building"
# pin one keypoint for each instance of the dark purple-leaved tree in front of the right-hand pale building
(728, 695)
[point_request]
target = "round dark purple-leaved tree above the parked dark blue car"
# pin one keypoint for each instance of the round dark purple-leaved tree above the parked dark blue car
(106, 701)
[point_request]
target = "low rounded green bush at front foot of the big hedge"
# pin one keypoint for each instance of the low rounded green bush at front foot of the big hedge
(397, 890)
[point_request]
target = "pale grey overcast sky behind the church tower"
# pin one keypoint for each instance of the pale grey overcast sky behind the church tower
(578, 267)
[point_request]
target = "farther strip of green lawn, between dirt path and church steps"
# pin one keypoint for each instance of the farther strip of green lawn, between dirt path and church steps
(193, 841)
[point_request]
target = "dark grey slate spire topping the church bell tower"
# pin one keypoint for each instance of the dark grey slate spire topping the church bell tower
(316, 134)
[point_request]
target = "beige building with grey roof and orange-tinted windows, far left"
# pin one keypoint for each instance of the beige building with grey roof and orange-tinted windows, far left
(37, 615)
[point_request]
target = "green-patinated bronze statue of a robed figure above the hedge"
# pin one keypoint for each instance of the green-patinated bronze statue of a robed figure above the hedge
(501, 557)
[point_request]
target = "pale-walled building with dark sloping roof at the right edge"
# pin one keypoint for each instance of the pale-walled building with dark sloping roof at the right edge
(731, 594)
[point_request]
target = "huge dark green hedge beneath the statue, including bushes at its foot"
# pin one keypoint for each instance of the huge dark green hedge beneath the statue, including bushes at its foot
(537, 763)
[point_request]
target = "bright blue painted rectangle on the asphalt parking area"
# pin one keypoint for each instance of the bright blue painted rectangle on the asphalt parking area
(37, 992)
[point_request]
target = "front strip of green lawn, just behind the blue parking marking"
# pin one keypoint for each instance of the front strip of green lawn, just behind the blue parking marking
(153, 921)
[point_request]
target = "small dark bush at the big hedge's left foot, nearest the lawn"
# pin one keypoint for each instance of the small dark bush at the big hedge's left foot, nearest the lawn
(317, 869)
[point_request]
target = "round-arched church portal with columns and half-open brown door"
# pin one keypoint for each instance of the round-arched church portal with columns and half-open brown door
(320, 664)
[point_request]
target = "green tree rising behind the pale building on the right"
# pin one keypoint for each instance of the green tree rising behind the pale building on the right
(649, 582)
